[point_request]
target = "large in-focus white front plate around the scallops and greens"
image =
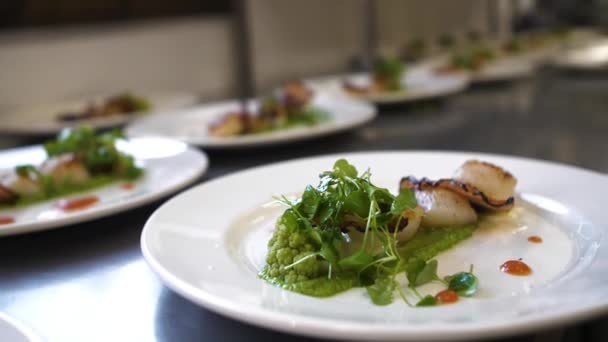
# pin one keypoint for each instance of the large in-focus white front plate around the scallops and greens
(208, 244)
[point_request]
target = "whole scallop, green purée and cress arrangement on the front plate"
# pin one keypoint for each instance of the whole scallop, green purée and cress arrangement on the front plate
(346, 232)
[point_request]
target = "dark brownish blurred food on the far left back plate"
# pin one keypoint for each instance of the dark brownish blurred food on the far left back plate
(120, 104)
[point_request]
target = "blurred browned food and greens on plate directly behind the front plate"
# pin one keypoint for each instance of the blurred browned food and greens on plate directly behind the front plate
(289, 108)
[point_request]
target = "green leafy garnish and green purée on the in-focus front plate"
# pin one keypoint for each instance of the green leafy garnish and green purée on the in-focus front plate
(343, 233)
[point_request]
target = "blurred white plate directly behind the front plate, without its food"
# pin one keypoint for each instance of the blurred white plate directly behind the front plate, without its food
(192, 125)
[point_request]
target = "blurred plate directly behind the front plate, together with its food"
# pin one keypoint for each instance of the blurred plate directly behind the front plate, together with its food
(294, 113)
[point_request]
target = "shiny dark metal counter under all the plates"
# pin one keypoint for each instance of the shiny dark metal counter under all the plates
(89, 282)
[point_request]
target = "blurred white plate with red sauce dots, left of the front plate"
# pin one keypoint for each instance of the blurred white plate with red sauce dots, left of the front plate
(169, 166)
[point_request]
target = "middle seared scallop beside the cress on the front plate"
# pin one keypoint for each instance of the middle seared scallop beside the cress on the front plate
(443, 207)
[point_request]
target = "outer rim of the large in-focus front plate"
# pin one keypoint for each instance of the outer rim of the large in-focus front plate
(318, 327)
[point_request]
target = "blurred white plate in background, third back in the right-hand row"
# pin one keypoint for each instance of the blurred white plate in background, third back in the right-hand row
(418, 83)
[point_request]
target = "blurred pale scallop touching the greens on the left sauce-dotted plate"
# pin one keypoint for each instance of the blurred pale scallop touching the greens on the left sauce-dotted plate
(65, 169)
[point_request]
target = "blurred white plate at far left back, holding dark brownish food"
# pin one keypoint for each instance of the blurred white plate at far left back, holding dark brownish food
(42, 119)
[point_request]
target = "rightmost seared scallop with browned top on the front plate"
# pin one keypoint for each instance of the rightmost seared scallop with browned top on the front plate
(496, 183)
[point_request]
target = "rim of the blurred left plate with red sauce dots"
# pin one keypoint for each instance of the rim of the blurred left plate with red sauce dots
(111, 209)
